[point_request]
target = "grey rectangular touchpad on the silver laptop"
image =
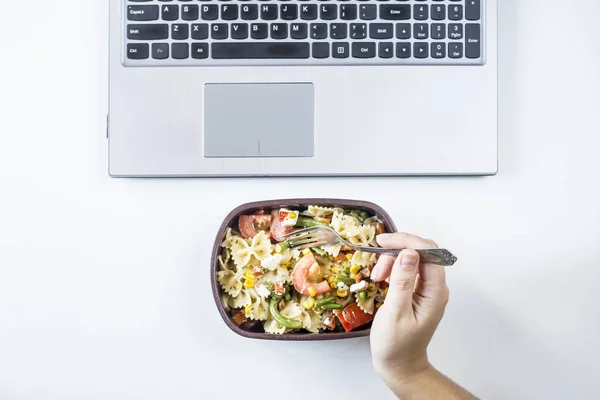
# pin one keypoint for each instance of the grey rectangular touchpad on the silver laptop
(259, 120)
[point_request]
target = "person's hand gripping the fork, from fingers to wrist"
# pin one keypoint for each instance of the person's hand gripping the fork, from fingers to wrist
(415, 303)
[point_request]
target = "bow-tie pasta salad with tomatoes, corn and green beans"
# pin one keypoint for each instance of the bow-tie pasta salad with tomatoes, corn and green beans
(268, 286)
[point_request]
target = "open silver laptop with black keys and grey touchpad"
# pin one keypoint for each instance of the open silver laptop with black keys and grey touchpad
(202, 88)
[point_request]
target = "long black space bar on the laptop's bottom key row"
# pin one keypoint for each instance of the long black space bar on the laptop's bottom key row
(260, 50)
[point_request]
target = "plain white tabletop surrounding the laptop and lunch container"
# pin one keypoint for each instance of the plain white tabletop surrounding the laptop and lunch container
(104, 289)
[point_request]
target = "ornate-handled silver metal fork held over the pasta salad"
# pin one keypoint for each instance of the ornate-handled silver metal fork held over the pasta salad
(324, 236)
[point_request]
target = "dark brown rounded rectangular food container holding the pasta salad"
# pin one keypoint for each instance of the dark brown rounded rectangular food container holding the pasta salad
(250, 208)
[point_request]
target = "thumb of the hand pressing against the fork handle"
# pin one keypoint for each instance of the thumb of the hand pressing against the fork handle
(402, 281)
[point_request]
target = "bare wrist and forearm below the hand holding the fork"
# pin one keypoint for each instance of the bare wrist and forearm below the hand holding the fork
(429, 384)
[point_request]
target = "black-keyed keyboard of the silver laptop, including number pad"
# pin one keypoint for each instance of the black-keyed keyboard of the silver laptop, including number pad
(303, 32)
